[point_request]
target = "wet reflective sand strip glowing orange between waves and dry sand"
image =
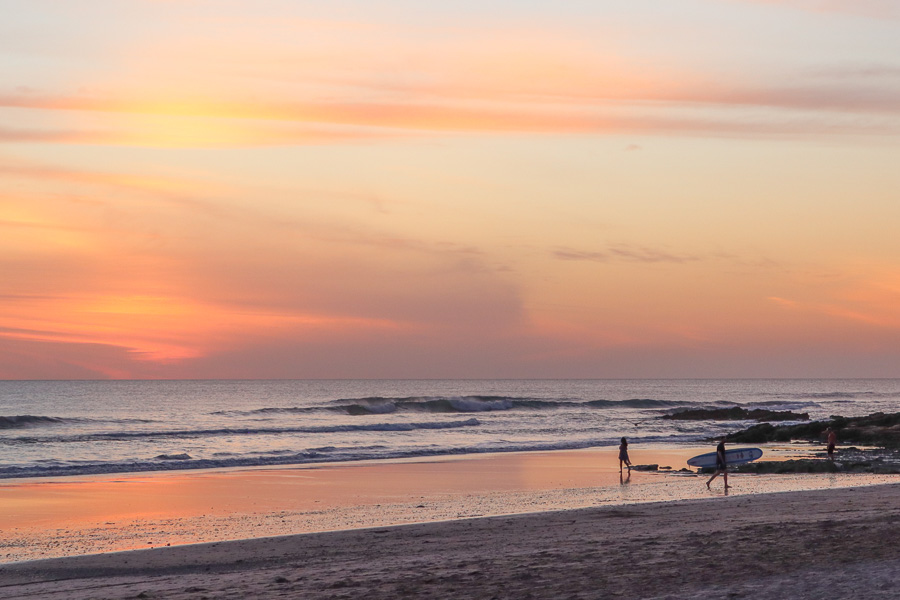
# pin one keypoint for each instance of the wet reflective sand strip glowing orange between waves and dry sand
(92, 514)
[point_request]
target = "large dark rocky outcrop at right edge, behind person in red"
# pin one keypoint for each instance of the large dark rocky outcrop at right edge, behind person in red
(878, 429)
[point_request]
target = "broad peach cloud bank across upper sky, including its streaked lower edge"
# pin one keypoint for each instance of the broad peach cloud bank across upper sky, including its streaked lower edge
(282, 87)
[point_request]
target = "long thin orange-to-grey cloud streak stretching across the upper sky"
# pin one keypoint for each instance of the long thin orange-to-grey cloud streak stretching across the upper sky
(725, 114)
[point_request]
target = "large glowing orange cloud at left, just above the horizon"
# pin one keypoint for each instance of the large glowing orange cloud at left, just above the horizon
(146, 269)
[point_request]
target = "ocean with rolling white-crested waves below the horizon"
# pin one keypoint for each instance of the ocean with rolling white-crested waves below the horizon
(62, 428)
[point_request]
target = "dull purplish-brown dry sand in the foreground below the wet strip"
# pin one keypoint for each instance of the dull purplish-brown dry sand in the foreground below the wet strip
(840, 543)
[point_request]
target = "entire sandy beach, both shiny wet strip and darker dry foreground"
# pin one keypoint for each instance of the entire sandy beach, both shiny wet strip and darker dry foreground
(529, 525)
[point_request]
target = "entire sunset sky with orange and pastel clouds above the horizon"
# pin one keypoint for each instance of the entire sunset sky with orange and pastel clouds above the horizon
(495, 189)
